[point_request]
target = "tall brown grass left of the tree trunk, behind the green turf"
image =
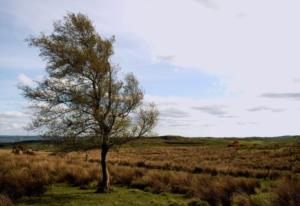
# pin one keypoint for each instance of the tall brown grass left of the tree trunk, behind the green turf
(31, 175)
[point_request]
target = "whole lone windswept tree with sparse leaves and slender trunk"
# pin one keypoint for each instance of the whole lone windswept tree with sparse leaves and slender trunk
(82, 95)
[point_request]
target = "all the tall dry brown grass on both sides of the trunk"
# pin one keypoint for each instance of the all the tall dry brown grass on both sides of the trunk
(217, 176)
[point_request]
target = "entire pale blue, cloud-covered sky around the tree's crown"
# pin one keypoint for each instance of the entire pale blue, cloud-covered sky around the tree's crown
(214, 68)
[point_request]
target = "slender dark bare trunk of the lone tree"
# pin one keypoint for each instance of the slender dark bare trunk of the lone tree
(104, 184)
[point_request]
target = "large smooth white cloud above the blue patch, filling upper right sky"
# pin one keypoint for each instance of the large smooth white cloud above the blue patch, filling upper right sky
(257, 53)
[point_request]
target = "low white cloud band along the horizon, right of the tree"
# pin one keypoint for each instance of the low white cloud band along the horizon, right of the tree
(209, 120)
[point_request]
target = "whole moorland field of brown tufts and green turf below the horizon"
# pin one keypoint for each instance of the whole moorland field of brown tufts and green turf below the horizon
(158, 171)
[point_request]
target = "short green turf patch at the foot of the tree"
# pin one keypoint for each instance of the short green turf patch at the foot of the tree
(61, 195)
